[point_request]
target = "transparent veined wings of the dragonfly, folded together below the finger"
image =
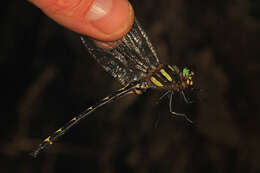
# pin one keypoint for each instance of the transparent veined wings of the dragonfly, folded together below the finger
(130, 60)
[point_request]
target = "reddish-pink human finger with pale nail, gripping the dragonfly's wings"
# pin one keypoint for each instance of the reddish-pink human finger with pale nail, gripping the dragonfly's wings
(112, 23)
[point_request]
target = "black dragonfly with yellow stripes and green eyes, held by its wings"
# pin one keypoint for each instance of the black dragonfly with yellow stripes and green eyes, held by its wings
(134, 62)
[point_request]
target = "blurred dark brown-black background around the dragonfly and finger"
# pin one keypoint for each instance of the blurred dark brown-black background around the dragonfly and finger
(47, 78)
